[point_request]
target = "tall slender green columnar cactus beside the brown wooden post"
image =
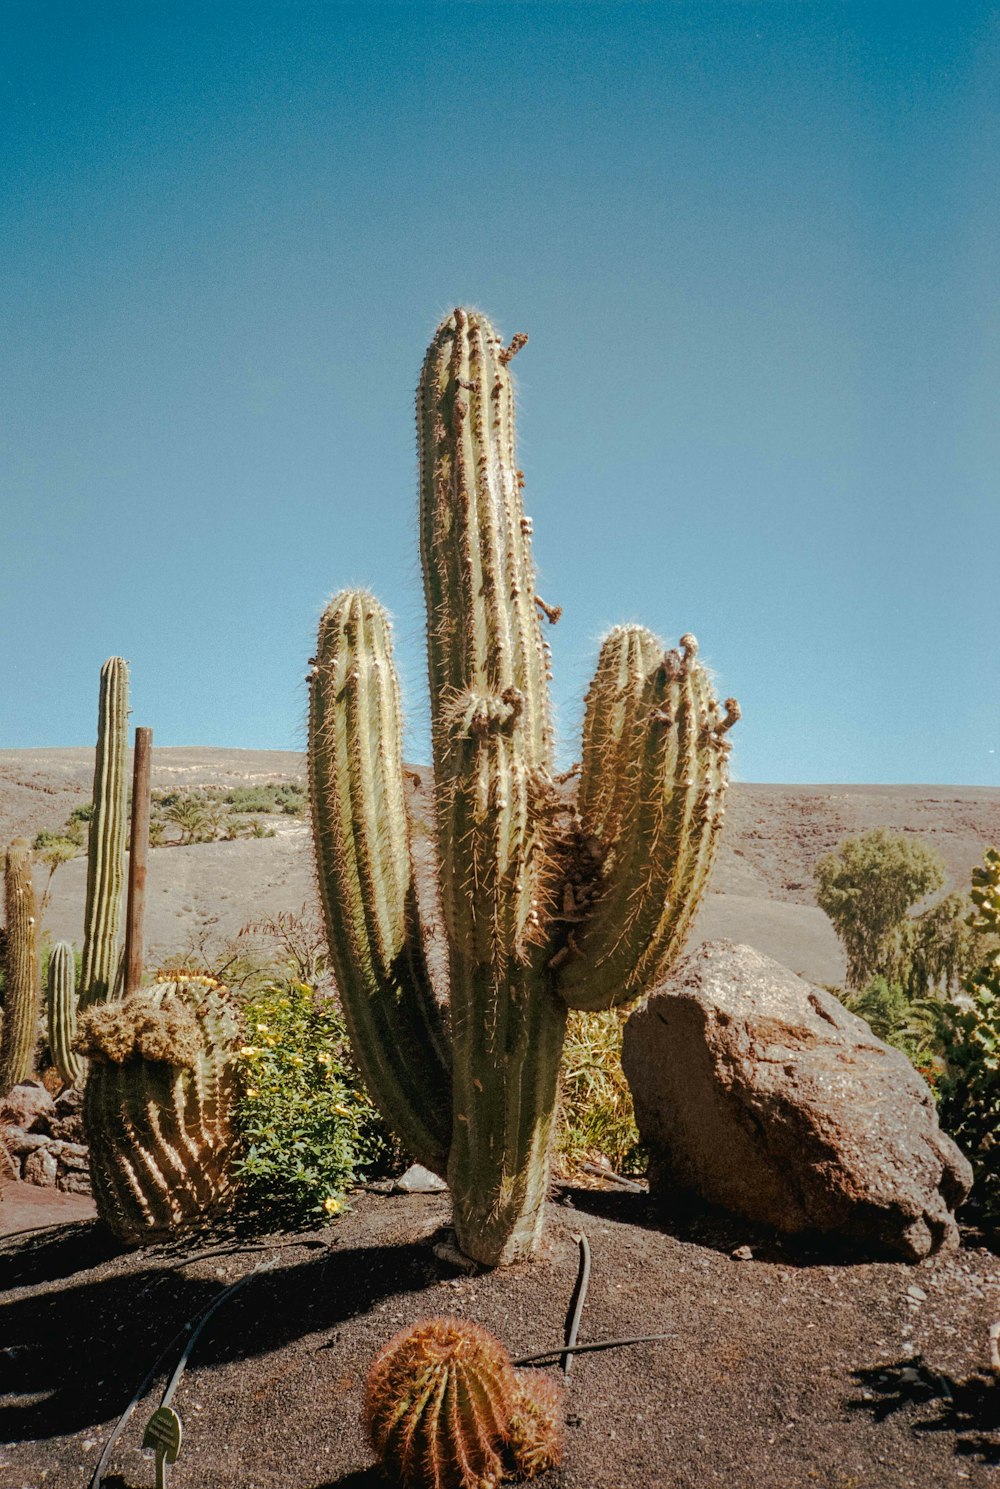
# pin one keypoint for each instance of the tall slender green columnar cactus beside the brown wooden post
(106, 848)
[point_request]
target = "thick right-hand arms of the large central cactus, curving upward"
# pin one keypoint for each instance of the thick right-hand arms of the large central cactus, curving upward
(660, 826)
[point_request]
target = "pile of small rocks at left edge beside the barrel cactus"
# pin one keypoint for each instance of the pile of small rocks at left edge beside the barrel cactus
(42, 1137)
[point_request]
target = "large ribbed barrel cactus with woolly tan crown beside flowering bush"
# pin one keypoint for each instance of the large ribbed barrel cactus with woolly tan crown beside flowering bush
(158, 1106)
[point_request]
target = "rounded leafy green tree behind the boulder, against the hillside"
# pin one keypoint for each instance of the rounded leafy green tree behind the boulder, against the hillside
(868, 888)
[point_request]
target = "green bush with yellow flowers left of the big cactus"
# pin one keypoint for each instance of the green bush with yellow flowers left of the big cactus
(310, 1131)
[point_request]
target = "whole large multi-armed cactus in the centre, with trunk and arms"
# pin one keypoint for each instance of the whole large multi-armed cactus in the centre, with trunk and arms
(548, 903)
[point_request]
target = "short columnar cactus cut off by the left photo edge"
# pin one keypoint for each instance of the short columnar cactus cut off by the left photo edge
(23, 979)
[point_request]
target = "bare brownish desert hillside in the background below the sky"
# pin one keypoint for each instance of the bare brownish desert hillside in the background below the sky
(763, 887)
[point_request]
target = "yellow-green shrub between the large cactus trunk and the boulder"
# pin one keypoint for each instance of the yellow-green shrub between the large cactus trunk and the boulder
(596, 1106)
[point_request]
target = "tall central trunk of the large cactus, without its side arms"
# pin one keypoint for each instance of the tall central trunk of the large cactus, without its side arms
(492, 747)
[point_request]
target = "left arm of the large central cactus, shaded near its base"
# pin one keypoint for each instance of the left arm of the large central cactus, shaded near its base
(367, 881)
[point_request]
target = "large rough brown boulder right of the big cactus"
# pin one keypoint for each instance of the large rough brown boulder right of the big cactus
(763, 1094)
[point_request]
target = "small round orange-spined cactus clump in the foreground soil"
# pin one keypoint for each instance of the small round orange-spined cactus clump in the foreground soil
(446, 1409)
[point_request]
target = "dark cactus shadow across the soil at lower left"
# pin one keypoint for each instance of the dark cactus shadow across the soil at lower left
(124, 1320)
